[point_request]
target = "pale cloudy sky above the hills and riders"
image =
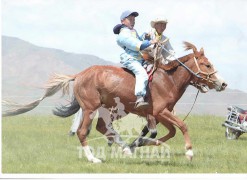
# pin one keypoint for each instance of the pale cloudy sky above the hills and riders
(85, 27)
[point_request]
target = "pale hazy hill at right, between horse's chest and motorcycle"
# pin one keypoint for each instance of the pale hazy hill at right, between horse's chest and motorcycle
(212, 102)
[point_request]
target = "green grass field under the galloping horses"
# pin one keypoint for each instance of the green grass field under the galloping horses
(40, 144)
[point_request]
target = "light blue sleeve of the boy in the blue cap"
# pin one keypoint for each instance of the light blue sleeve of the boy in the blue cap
(128, 40)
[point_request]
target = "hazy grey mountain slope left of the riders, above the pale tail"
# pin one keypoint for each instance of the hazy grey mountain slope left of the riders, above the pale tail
(26, 65)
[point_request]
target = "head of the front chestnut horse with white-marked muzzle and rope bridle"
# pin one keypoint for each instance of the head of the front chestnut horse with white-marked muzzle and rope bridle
(207, 77)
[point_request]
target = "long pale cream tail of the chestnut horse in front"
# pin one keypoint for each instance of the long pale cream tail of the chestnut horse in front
(55, 83)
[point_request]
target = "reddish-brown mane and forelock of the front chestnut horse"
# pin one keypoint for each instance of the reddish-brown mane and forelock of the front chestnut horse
(174, 64)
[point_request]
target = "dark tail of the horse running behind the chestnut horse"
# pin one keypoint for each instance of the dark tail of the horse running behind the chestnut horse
(66, 111)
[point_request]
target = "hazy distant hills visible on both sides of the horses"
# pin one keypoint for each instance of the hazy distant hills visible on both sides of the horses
(26, 67)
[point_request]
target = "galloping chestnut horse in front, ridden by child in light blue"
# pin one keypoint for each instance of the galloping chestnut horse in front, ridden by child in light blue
(97, 87)
